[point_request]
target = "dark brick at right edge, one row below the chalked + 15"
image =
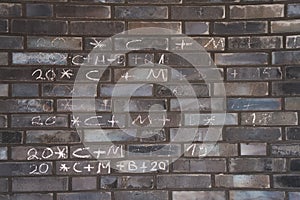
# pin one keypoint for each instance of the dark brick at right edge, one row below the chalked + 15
(286, 88)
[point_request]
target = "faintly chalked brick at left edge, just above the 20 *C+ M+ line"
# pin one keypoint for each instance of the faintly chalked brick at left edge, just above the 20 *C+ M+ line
(26, 105)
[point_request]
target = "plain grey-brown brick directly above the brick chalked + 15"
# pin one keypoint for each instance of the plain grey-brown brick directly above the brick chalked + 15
(241, 58)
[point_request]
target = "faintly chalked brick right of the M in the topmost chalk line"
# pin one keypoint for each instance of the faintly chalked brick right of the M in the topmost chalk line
(261, 42)
